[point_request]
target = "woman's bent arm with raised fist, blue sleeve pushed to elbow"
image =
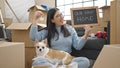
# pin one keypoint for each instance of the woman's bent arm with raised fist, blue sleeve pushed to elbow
(34, 33)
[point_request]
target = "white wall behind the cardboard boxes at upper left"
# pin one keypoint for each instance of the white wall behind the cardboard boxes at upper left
(20, 8)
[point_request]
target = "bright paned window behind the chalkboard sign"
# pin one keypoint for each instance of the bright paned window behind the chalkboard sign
(65, 5)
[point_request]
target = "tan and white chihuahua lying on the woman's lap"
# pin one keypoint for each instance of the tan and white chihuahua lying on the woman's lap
(55, 57)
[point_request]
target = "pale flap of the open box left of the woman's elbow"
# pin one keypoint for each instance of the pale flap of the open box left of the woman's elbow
(19, 26)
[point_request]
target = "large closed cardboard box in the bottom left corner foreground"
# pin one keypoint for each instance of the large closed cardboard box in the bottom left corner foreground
(12, 55)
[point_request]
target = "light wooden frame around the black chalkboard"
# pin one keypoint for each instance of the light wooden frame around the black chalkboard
(82, 9)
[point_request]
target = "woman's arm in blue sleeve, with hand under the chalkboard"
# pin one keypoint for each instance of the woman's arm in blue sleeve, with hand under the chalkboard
(79, 42)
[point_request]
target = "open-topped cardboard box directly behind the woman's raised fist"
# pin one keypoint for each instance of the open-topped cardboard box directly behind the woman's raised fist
(35, 8)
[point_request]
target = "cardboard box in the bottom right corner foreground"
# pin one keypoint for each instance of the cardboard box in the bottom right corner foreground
(109, 57)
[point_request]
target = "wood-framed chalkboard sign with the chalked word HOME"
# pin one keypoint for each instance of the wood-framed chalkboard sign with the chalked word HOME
(84, 16)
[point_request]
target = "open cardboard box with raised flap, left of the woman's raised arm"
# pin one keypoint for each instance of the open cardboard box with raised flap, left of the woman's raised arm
(20, 33)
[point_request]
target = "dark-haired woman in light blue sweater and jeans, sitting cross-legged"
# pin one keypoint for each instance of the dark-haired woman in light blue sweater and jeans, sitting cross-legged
(60, 36)
